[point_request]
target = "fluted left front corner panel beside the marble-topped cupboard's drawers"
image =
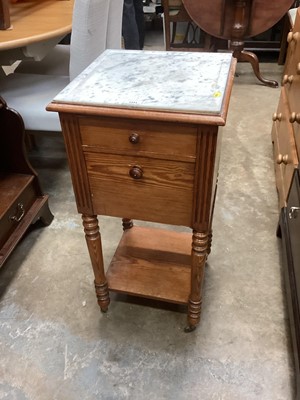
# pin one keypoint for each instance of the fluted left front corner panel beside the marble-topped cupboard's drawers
(71, 133)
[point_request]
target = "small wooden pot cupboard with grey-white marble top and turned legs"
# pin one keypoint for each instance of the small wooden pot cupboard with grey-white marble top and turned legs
(148, 149)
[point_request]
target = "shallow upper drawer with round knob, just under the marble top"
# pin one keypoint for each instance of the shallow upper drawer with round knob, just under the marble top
(154, 139)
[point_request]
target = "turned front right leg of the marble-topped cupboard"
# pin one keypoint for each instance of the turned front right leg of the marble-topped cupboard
(199, 255)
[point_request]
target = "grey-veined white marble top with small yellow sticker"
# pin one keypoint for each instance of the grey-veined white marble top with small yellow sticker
(186, 82)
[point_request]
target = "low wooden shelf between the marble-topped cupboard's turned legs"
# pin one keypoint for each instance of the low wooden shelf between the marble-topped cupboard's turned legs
(152, 263)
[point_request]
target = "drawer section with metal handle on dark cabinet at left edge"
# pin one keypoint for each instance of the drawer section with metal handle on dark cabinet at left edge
(18, 196)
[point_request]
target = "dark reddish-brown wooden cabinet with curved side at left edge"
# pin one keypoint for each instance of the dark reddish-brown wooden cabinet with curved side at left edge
(21, 199)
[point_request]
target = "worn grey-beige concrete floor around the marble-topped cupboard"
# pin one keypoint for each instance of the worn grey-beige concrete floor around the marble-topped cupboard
(55, 343)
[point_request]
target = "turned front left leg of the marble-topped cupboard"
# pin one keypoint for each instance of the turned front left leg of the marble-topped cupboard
(93, 240)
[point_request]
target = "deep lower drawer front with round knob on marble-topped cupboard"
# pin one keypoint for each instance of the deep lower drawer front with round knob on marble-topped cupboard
(141, 188)
